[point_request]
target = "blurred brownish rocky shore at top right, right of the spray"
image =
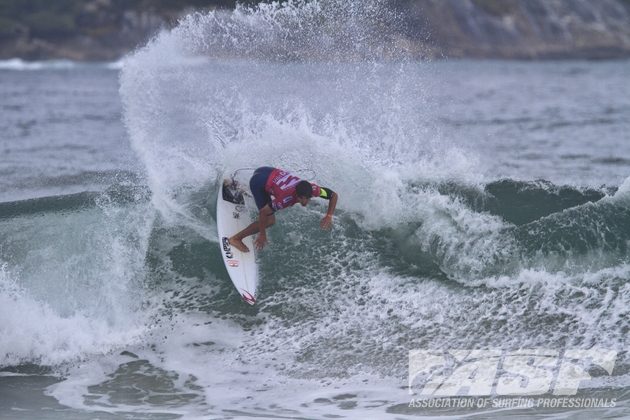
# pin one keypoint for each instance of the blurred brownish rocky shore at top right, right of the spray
(525, 29)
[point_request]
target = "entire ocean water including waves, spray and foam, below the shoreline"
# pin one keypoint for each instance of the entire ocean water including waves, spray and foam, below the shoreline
(483, 205)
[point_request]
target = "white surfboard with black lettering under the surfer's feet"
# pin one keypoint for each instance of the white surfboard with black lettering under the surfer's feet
(232, 217)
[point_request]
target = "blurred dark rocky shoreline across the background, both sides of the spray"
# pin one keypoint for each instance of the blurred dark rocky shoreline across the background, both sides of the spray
(99, 31)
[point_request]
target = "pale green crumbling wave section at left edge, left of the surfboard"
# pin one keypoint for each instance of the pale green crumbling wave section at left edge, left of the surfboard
(71, 275)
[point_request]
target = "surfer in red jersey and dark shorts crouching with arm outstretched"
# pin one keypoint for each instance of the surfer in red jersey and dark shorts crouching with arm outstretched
(275, 189)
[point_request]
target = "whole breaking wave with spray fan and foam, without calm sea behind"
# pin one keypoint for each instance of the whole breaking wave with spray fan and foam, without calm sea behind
(428, 251)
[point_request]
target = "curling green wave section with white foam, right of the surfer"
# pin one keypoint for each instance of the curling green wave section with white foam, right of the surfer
(470, 232)
